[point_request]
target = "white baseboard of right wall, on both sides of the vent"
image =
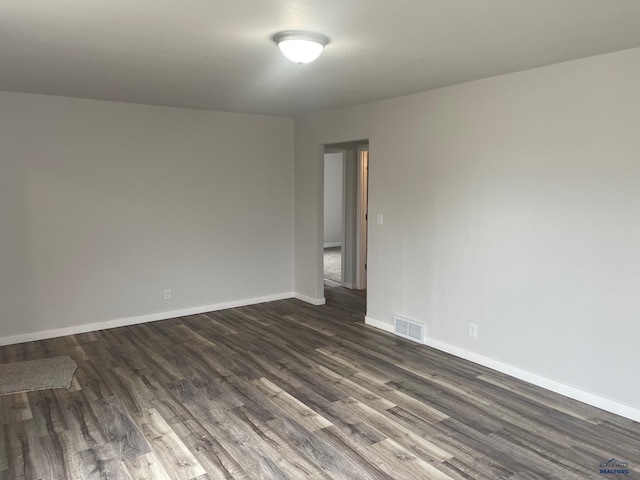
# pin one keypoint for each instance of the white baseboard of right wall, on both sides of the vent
(583, 396)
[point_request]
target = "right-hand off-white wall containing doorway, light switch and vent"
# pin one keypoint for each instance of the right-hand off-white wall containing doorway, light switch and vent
(511, 202)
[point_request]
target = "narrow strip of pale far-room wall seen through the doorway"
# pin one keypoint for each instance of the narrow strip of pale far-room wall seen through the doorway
(333, 176)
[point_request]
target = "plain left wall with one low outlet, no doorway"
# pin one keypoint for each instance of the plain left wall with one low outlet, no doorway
(105, 205)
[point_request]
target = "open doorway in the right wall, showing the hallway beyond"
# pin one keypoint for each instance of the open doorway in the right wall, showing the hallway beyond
(346, 167)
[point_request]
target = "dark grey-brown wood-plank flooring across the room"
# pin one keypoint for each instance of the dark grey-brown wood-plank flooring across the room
(287, 390)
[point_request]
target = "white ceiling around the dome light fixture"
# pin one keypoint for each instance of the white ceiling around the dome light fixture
(218, 54)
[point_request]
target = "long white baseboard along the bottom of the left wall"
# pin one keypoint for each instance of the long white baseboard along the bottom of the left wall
(123, 322)
